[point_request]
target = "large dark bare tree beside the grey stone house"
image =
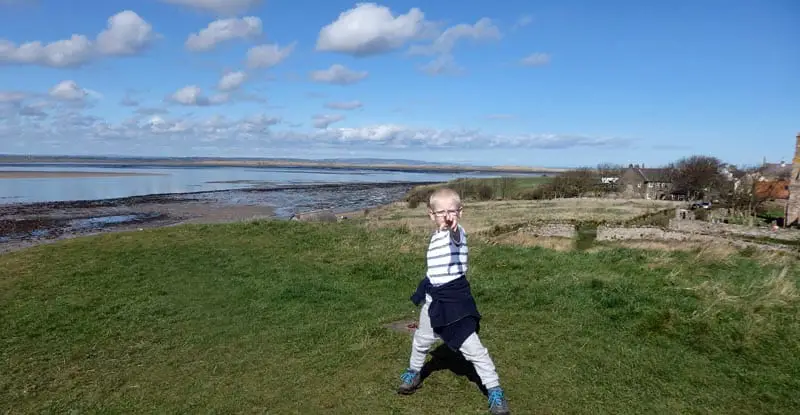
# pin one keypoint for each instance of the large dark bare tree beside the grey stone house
(697, 176)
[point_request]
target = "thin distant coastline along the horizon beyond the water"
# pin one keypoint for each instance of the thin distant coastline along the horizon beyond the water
(405, 166)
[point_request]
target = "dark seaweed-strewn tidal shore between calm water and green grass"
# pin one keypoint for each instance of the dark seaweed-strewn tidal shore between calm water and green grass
(24, 225)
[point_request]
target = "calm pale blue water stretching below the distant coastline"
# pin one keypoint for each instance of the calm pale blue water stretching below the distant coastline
(184, 179)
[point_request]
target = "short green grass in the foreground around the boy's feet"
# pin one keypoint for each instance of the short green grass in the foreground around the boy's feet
(287, 318)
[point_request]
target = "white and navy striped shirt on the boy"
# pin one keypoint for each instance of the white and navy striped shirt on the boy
(447, 256)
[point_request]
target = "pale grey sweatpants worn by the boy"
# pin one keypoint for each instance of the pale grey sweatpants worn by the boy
(472, 349)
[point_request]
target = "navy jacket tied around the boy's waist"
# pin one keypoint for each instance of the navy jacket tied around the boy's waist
(453, 312)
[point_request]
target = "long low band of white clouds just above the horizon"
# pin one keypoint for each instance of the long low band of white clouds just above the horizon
(260, 131)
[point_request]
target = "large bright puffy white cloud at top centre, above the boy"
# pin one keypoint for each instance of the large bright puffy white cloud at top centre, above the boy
(370, 29)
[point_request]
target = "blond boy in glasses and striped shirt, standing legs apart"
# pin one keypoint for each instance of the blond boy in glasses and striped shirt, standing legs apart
(449, 311)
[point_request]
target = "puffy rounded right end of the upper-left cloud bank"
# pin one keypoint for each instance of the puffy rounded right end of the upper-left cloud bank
(126, 34)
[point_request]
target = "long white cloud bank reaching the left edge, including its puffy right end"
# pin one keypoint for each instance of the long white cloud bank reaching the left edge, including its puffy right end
(126, 34)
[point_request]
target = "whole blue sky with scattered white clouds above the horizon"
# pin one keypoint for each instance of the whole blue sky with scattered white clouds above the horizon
(528, 83)
